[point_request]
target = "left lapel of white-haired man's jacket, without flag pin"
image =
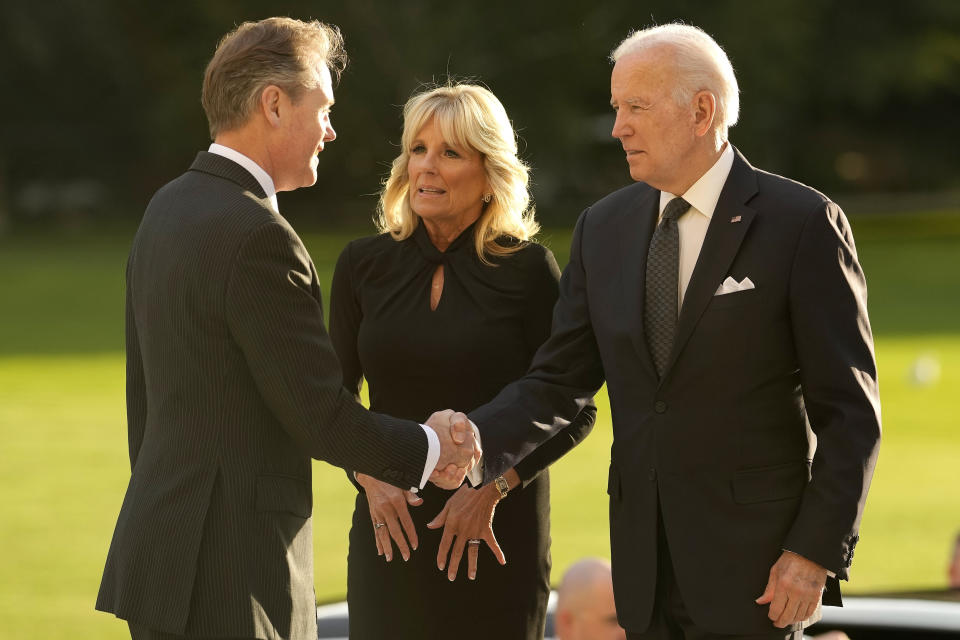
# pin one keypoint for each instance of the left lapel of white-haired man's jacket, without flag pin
(635, 233)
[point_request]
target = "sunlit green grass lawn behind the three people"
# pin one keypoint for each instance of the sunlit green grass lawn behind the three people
(63, 457)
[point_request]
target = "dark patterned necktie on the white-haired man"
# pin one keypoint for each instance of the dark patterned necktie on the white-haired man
(663, 290)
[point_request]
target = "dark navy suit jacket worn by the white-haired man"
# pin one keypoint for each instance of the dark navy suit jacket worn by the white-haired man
(723, 443)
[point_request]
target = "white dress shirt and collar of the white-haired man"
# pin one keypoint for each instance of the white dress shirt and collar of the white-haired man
(702, 196)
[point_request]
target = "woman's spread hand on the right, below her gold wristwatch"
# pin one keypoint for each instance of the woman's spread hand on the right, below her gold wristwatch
(468, 515)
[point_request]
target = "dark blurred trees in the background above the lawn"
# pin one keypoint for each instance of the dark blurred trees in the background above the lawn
(102, 98)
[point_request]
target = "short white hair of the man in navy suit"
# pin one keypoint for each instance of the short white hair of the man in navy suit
(701, 65)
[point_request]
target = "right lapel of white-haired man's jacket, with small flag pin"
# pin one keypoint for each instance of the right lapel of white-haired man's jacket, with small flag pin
(720, 247)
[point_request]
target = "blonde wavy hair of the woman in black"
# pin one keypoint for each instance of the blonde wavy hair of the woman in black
(468, 116)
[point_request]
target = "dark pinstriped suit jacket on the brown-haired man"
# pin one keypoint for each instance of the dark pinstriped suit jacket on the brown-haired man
(232, 387)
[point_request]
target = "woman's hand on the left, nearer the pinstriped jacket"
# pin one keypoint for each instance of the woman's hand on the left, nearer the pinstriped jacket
(389, 516)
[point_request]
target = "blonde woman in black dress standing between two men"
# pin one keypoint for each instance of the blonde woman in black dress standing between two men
(442, 309)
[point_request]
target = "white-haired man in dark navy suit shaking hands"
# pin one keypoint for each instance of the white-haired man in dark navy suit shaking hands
(725, 309)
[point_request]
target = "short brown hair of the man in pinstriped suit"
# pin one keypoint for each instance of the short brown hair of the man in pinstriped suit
(283, 52)
